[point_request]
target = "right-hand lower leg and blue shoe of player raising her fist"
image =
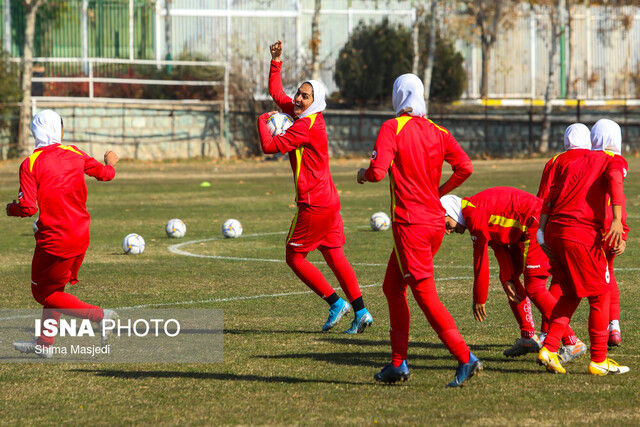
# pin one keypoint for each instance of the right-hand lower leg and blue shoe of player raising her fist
(337, 261)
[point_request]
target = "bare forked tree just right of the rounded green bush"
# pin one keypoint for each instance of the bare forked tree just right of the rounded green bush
(488, 16)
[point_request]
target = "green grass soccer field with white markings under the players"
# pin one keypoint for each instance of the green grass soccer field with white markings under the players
(278, 367)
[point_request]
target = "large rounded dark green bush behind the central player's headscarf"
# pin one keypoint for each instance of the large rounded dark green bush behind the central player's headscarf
(375, 55)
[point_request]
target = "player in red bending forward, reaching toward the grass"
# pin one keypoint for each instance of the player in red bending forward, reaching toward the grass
(506, 219)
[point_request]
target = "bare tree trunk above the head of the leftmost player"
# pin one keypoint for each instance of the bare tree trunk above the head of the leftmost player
(31, 7)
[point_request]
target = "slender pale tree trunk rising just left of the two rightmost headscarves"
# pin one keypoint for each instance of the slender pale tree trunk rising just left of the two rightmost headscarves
(556, 22)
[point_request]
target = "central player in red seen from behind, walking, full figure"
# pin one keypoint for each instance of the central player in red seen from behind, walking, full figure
(412, 149)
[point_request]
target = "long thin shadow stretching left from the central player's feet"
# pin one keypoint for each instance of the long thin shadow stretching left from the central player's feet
(112, 373)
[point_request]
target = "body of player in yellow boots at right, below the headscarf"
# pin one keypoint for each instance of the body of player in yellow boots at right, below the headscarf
(570, 233)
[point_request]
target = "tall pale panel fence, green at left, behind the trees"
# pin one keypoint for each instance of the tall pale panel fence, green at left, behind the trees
(601, 55)
